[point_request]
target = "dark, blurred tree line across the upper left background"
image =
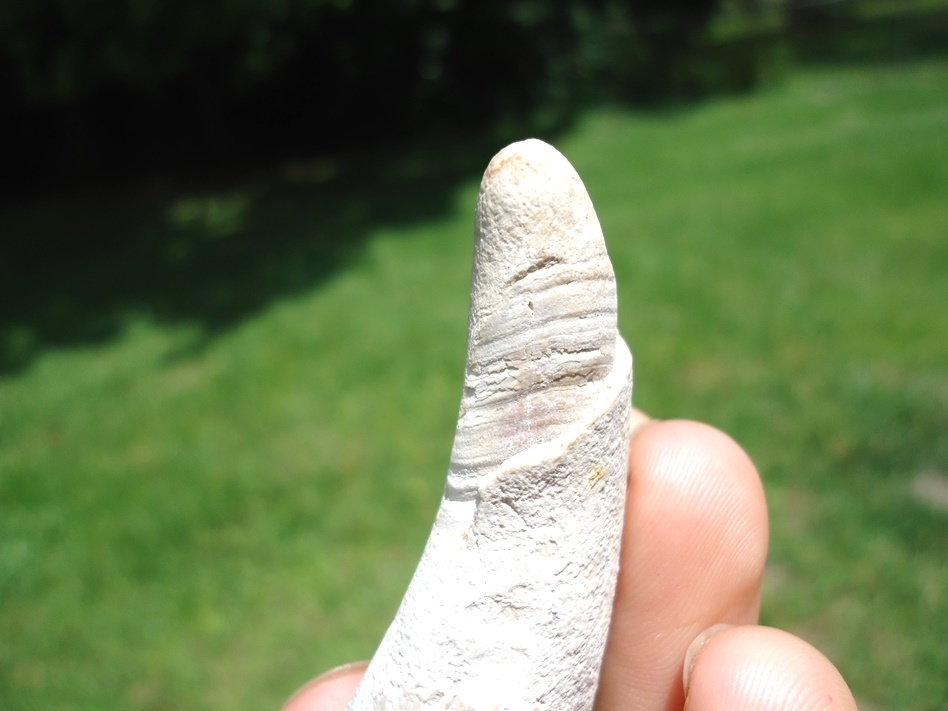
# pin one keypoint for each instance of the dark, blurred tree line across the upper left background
(114, 84)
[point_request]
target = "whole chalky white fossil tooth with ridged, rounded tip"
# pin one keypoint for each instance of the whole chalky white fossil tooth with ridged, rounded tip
(510, 604)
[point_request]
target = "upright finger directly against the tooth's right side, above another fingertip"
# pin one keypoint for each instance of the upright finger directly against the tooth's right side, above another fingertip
(693, 553)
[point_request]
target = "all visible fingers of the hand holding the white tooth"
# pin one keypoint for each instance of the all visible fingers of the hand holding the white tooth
(684, 632)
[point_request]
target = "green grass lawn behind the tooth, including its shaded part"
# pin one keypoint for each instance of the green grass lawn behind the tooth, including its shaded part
(223, 436)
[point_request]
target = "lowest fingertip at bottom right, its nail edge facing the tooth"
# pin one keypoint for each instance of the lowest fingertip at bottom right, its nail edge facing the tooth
(763, 669)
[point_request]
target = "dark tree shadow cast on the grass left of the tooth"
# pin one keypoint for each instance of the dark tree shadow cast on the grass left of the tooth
(74, 270)
